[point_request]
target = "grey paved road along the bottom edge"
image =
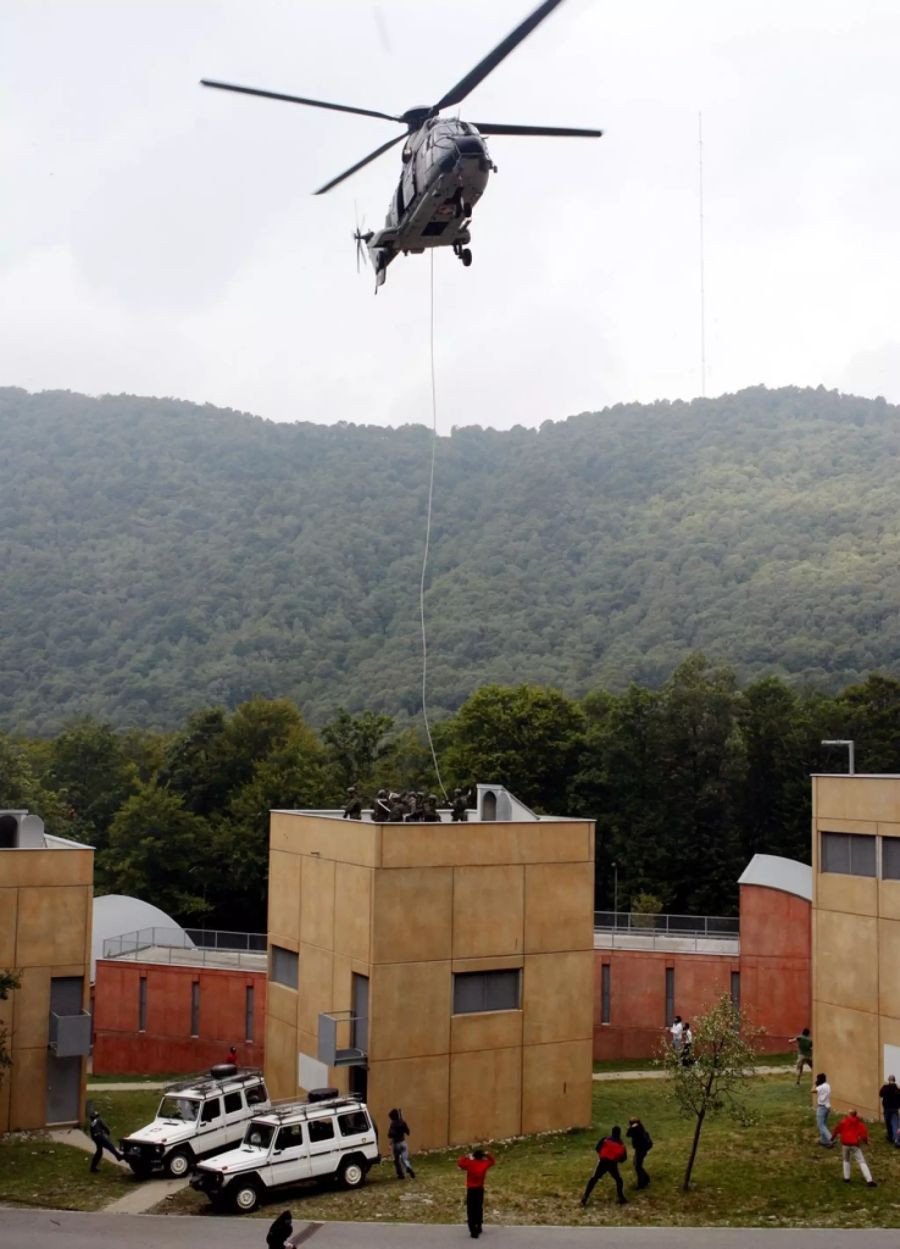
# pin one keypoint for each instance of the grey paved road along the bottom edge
(46, 1230)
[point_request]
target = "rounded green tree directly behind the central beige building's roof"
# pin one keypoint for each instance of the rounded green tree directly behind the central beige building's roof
(527, 739)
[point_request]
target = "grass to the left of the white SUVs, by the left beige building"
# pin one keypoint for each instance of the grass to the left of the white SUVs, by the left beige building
(39, 1172)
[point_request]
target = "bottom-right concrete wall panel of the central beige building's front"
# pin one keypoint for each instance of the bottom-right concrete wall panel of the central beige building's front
(556, 1087)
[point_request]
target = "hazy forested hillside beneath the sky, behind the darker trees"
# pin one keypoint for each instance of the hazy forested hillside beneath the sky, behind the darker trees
(160, 556)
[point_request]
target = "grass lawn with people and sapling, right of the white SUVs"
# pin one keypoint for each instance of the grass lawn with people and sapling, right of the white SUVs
(773, 1175)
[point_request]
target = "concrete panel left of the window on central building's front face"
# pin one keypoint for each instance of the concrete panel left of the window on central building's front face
(410, 1006)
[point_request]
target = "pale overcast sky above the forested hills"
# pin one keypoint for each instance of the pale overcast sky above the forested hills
(162, 239)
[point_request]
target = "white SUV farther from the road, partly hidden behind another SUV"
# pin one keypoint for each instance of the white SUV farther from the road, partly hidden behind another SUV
(197, 1118)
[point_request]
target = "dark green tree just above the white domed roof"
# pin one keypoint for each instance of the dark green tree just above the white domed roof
(163, 854)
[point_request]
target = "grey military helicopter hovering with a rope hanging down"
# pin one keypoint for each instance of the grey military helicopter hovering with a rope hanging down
(446, 162)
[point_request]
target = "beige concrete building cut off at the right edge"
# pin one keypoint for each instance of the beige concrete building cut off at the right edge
(857, 936)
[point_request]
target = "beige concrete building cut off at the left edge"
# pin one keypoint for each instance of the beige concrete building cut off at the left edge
(47, 886)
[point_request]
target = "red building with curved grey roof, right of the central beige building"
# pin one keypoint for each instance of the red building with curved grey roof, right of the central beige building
(643, 977)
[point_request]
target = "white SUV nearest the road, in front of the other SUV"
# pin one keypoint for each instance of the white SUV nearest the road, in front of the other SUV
(291, 1143)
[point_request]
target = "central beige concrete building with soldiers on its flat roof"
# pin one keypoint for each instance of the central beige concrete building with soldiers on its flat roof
(444, 969)
